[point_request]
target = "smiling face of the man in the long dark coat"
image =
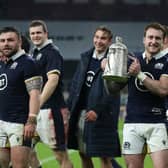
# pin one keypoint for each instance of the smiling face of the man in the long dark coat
(101, 41)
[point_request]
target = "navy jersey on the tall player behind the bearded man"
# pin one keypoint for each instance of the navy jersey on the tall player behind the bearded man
(49, 60)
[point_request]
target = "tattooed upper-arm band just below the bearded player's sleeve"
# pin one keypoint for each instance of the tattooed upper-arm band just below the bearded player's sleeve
(34, 83)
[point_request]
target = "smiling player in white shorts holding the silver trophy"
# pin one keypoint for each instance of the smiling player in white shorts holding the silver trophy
(146, 112)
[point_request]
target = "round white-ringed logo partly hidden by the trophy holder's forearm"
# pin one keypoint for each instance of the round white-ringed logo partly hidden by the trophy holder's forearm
(139, 85)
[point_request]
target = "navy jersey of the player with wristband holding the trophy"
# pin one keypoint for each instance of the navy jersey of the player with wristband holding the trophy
(144, 106)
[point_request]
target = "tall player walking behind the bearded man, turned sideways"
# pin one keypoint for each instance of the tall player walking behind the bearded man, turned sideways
(50, 126)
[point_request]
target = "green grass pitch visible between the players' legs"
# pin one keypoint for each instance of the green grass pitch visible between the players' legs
(48, 160)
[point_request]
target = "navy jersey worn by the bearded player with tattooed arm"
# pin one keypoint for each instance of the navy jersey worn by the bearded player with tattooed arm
(14, 98)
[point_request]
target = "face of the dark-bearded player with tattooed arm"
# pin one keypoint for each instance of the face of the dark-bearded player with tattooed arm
(10, 43)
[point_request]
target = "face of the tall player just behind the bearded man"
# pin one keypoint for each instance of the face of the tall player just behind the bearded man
(37, 35)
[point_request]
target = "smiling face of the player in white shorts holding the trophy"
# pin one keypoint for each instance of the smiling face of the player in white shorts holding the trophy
(153, 41)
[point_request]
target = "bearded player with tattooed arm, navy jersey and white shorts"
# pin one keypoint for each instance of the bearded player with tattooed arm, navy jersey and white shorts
(19, 100)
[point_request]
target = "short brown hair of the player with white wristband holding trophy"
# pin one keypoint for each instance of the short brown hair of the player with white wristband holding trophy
(156, 26)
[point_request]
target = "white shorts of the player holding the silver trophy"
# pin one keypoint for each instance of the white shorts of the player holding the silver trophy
(136, 136)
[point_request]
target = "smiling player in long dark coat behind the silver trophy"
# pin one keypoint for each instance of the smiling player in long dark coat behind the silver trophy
(94, 113)
